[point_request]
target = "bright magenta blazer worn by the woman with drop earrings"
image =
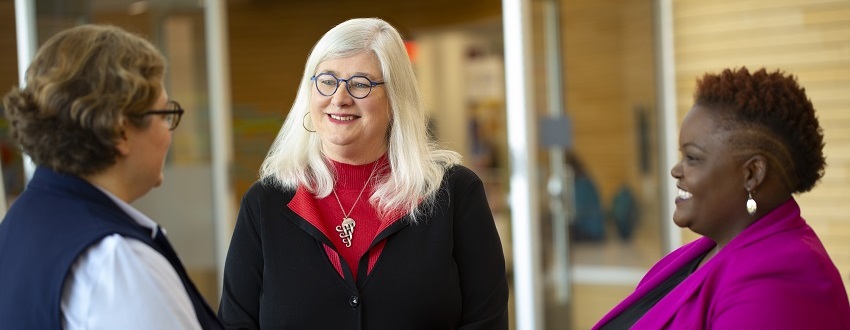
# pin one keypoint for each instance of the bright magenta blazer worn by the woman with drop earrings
(773, 275)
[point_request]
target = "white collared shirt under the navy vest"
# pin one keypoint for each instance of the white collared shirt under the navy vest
(122, 283)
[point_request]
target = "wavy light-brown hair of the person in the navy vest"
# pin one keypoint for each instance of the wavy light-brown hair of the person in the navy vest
(81, 85)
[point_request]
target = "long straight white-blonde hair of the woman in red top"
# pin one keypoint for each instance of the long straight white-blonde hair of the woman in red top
(417, 164)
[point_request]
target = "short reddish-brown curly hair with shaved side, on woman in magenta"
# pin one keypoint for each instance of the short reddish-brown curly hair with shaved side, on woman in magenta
(770, 114)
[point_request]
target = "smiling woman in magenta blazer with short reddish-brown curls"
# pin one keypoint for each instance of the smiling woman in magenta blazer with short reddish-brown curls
(749, 143)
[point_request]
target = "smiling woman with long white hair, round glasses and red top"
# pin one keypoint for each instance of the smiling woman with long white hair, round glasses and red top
(359, 221)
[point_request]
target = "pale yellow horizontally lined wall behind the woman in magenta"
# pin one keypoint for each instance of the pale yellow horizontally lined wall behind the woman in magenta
(808, 38)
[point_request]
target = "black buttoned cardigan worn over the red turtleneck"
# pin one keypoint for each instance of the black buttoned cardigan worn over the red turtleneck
(446, 272)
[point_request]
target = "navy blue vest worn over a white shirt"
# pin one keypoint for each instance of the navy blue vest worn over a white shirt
(55, 220)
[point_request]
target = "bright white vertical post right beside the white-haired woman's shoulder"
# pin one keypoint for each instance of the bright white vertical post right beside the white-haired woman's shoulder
(522, 147)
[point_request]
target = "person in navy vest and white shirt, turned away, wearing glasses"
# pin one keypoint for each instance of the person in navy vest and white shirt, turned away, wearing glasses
(74, 254)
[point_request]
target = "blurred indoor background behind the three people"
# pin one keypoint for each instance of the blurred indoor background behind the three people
(605, 84)
